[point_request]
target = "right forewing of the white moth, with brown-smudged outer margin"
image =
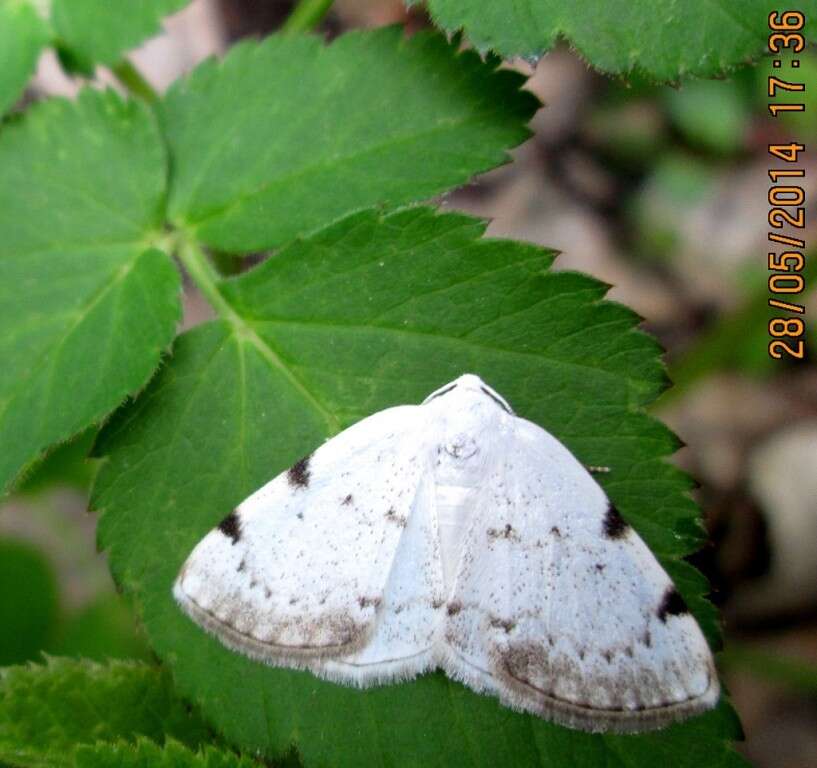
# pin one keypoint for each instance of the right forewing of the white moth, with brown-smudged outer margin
(562, 610)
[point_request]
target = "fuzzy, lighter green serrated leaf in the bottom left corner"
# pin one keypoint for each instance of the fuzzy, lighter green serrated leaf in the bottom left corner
(47, 711)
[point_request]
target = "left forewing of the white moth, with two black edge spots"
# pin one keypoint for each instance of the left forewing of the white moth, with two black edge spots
(298, 570)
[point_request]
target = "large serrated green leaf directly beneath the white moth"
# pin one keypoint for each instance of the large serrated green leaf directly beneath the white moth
(372, 312)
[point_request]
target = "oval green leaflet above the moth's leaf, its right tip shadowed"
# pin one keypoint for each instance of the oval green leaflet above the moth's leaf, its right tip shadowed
(284, 136)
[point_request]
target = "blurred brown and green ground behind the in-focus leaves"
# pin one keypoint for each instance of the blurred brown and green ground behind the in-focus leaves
(659, 191)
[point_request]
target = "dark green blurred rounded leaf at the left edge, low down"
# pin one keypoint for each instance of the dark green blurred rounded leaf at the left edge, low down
(28, 602)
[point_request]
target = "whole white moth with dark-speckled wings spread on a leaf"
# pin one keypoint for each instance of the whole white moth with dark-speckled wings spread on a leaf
(454, 534)
